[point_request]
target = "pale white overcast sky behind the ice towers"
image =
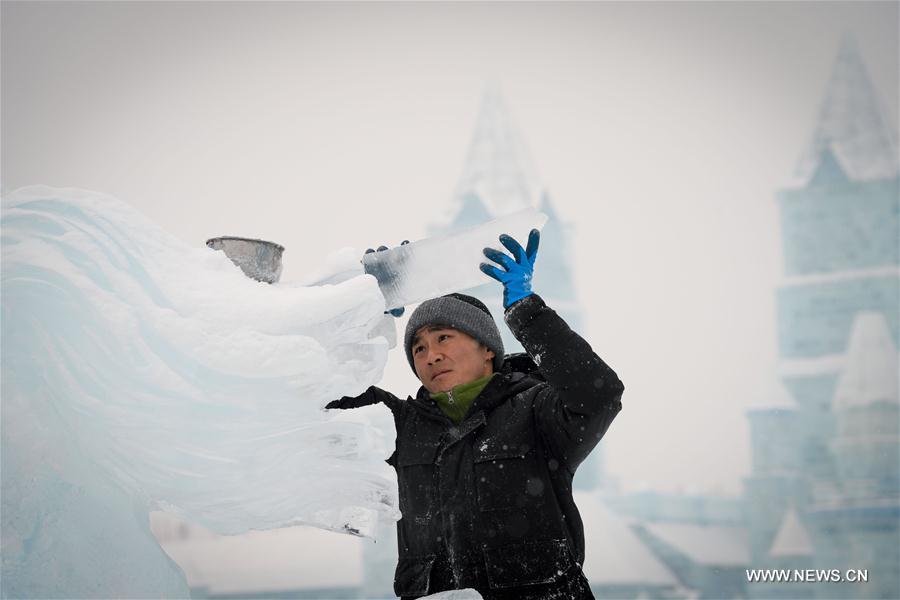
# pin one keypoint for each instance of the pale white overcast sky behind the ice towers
(662, 131)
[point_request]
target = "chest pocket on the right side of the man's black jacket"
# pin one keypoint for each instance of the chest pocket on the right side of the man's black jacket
(504, 480)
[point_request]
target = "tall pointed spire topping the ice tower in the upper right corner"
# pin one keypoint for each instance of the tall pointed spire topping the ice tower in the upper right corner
(851, 126)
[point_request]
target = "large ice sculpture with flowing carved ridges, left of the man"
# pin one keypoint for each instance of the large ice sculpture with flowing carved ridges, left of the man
(139, 372)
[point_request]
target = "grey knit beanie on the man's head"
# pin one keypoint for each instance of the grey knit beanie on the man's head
(465, 313)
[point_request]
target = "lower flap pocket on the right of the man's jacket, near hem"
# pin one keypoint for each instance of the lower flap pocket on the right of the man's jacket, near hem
(527, 563)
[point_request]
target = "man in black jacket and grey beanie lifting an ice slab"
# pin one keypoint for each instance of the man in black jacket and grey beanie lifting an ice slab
(487, 449)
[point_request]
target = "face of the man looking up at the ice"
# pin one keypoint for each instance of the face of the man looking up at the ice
(446, 357)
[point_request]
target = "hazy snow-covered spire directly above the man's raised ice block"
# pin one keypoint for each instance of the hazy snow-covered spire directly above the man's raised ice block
(497, 168)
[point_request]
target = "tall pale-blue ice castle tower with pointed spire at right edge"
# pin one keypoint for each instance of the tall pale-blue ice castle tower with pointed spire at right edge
(823, 492)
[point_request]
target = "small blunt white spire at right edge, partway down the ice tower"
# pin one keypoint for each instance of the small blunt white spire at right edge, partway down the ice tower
(871, 373)
